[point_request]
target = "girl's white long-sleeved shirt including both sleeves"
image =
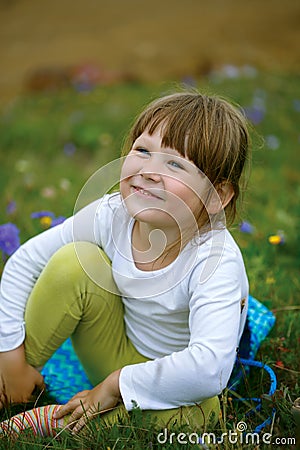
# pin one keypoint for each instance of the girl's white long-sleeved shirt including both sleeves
(186, 317)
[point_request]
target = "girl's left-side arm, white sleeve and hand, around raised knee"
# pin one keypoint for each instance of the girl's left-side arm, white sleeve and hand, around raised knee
(18, 379)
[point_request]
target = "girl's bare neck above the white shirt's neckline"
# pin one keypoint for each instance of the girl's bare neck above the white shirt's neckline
(153, 248)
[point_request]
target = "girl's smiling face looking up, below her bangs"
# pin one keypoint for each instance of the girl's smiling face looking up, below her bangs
(159, 186)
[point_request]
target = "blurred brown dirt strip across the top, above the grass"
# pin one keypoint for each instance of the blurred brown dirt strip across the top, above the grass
(152, 40)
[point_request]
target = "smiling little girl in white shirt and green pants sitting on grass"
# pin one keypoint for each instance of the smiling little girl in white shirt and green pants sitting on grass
(148, 282)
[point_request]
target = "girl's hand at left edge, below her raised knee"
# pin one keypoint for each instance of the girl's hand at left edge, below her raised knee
(18, 379)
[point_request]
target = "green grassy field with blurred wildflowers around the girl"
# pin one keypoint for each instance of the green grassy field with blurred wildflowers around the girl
(51, 143)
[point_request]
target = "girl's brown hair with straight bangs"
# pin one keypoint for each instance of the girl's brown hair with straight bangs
(208, 130)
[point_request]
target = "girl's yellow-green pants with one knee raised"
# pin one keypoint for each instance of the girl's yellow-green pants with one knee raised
(66, 302)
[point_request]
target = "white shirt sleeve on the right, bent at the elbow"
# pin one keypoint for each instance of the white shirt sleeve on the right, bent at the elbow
(203, 368)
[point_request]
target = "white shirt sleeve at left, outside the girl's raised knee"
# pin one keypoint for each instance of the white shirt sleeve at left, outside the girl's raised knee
(25, 265)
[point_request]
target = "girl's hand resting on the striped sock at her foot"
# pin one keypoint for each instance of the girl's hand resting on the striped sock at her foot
(86, 404)
